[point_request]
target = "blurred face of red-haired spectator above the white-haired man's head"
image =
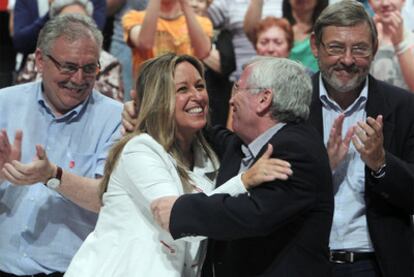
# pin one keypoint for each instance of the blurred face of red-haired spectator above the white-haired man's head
(272, 42)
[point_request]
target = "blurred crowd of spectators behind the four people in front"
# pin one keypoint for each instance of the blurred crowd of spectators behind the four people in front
(224, 36)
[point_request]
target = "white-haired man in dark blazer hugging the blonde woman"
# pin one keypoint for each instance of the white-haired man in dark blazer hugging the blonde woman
(280, 228)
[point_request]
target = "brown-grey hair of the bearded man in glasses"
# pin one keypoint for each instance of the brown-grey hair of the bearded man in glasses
(344, 13)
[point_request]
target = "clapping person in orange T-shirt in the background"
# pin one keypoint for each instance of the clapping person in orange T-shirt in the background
(166, 26)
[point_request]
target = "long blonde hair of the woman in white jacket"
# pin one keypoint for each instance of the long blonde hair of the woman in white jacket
(156, 105)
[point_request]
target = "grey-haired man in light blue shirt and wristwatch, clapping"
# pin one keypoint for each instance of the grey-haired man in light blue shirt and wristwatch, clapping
(49, 176)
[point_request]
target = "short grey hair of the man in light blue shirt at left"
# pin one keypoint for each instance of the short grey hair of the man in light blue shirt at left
(71, 27)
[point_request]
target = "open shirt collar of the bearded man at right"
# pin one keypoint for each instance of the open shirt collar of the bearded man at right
(330, 104)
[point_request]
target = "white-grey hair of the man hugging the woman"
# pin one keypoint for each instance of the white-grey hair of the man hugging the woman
(290, 84)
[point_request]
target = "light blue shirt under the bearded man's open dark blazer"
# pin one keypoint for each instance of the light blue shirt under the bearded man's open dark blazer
(349, 227)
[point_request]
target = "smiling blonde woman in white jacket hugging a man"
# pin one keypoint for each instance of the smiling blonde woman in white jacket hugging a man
(166, 155)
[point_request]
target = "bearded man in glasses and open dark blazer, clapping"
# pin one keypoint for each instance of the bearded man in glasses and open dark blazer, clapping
(372, 231)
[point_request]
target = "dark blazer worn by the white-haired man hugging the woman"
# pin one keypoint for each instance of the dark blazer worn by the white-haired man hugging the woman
(281, 228)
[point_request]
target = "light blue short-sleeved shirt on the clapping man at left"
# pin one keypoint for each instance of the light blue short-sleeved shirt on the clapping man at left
(40, 230)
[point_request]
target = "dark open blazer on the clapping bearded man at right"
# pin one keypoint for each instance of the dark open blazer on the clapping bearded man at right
(389, 200)
